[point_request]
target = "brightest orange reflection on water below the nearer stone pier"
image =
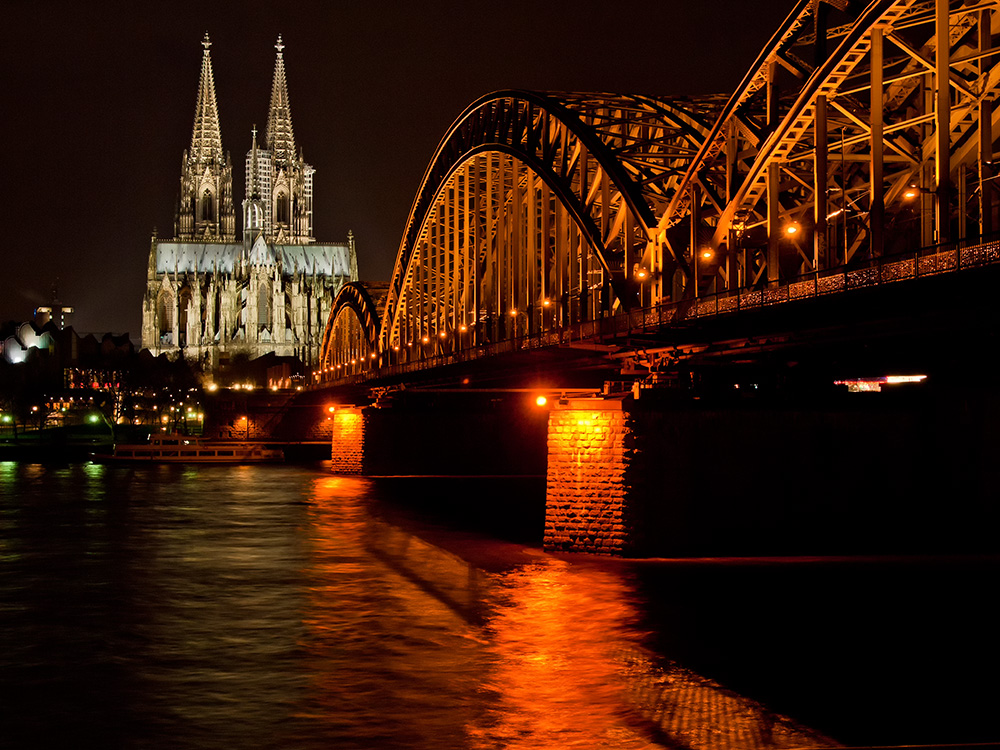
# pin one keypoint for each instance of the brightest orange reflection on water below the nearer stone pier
(554, 676)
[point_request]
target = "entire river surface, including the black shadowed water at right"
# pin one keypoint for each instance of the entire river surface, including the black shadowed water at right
(282, 607)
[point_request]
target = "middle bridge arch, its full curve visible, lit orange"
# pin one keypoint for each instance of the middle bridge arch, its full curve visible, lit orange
(534, 212)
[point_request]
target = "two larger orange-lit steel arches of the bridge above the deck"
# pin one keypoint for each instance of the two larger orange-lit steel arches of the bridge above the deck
(861, 129)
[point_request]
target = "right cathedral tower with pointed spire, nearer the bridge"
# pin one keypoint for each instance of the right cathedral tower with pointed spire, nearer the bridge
(282, 178)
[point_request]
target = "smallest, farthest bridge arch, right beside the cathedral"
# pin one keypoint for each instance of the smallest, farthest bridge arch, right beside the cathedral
(351, 335)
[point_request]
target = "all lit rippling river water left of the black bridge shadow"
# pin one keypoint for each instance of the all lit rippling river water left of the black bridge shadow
(276, 607)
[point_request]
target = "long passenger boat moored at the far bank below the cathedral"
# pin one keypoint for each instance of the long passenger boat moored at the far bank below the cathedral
(173, 448)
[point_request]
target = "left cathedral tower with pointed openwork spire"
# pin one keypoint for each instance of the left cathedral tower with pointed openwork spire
(205, 210)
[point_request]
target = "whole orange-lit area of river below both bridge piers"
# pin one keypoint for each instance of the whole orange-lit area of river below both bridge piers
(407, 644)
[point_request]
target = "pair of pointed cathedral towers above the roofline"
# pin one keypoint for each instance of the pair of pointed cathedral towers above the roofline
(279, 184)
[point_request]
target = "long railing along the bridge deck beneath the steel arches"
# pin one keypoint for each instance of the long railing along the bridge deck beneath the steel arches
(866, 274)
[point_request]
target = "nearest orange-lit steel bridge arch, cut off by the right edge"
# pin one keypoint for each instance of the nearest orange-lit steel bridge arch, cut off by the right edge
(817, 170)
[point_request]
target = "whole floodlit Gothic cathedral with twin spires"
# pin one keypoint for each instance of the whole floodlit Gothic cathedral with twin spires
(210, 297)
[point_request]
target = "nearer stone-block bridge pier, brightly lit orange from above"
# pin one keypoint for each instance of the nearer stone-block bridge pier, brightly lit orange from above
(586, 489)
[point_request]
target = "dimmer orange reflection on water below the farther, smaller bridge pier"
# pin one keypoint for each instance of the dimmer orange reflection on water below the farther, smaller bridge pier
(391, 660)
